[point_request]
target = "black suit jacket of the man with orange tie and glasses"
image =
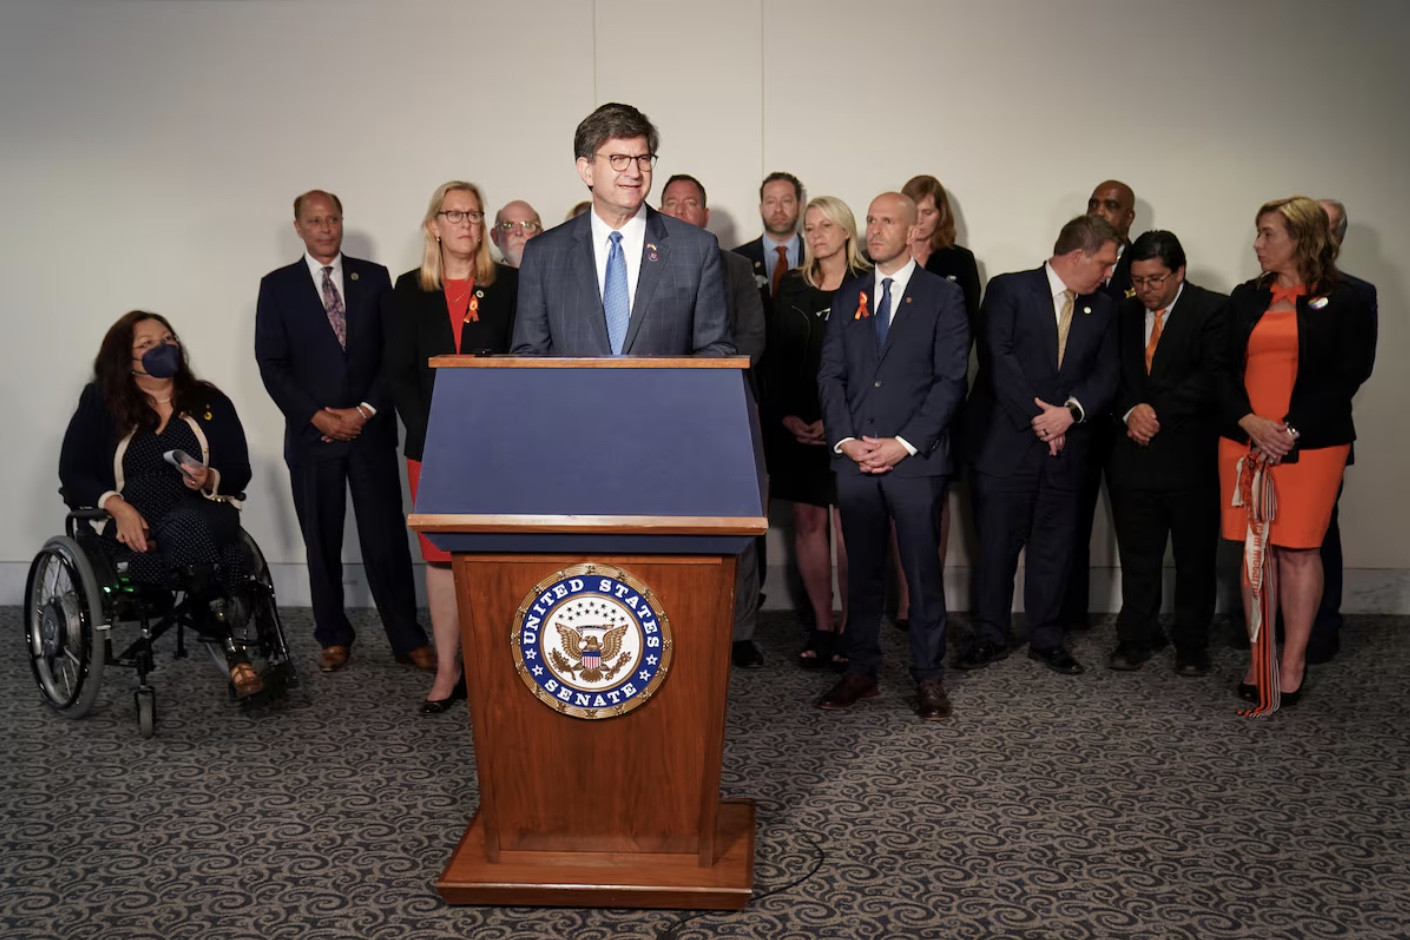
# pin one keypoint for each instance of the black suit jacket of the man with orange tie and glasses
(1182, 388)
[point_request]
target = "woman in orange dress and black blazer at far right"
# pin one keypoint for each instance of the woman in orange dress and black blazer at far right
(1302, 340)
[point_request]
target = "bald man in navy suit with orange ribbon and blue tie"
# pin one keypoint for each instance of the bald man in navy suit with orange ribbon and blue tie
(892, 377)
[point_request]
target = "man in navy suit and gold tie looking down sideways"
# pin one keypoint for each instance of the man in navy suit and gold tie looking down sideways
(1047, 373)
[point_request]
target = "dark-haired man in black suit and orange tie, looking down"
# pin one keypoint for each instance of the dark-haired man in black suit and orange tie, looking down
(1164, 469)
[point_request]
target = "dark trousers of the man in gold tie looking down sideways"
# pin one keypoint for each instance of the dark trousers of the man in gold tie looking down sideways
(1031, 507)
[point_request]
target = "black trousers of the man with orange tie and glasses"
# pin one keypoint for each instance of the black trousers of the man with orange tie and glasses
(1143, 519)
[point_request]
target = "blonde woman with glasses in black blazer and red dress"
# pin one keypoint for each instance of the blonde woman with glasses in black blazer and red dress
(459, 301)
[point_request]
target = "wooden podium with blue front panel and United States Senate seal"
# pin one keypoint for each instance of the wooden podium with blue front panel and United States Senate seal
(594, 511)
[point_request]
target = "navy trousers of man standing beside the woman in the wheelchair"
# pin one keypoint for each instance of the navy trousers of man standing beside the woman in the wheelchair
(321, 498)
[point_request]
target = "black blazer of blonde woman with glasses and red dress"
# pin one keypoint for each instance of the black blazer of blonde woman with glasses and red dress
(418, 328)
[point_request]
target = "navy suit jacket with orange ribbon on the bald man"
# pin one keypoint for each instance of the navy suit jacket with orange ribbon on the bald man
(912, 387)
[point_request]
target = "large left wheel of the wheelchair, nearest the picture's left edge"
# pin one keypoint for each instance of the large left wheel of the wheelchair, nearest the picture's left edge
(64, 615)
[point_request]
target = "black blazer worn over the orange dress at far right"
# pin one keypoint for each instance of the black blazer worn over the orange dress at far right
(1336, 350)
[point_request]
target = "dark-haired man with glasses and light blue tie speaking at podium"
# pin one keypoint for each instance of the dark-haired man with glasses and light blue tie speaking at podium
(621, 280)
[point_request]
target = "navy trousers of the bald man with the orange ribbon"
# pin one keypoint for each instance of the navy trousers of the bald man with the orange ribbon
(868, 505)
